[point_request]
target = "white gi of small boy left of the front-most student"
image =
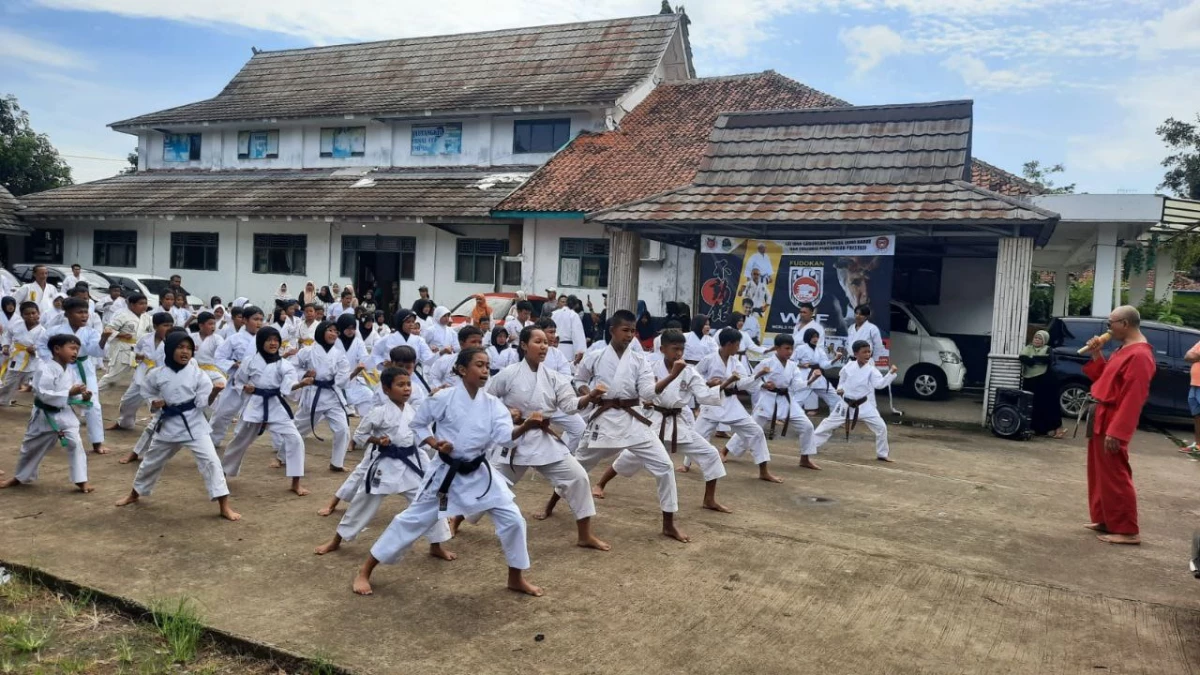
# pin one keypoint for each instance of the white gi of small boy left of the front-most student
(376, 477)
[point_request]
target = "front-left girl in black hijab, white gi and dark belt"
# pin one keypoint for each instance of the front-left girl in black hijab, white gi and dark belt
(179, 392)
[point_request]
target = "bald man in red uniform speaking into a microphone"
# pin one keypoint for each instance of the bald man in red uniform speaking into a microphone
(1120, 386)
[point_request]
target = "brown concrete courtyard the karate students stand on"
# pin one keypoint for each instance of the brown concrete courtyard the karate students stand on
(968, 555)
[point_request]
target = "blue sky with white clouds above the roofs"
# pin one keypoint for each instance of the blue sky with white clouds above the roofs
(1083, 83)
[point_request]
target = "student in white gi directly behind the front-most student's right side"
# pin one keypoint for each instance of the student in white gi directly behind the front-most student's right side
(536, 393)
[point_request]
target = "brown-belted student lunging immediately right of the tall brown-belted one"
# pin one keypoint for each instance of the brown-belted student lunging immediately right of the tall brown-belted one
(679, 385)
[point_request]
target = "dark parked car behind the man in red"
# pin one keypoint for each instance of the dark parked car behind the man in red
(1168, 390)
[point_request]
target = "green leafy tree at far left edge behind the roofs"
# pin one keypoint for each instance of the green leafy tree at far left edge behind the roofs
(28, 160)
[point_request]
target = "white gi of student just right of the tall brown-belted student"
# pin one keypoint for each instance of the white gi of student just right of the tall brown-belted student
(680, 396)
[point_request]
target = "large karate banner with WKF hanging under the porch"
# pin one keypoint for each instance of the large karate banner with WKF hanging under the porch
(770, 282)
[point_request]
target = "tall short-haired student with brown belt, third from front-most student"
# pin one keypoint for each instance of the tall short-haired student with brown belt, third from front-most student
(625, 379)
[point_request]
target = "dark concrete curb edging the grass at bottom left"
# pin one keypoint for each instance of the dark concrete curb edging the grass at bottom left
(137, 612)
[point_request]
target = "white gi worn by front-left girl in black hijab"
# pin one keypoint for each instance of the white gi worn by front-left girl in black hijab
(172, 433)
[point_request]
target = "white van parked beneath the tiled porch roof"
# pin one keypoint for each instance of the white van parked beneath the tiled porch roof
(931, 367)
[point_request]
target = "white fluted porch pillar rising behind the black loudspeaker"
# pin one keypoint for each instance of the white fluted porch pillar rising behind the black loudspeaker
(1010, 318)
